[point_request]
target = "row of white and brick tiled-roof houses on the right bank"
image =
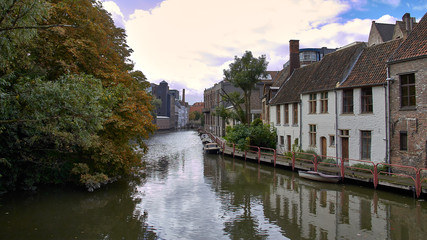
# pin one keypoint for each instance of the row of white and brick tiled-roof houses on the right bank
(363, 101)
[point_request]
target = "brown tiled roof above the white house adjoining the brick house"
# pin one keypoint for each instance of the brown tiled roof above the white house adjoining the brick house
(370, 68)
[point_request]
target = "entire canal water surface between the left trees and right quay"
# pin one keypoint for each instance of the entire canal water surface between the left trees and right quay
(187, 194)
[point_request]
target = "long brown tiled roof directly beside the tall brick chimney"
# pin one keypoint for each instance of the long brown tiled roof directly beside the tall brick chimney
(319, 76)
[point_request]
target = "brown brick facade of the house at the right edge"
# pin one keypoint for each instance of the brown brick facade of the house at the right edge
(409, 121)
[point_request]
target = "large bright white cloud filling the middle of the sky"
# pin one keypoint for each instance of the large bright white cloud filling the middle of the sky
(192, 41)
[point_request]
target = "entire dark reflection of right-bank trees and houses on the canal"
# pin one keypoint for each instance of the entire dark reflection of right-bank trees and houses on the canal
(303, 209)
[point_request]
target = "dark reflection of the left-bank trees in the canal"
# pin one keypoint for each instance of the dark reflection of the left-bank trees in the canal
(67, 214)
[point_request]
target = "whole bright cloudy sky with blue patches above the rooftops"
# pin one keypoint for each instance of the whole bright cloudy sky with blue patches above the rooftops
(188, 43)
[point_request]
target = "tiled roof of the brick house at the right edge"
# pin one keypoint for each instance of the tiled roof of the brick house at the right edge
(415, 45)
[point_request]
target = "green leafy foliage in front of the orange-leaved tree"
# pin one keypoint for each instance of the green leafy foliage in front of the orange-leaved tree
(48, 123)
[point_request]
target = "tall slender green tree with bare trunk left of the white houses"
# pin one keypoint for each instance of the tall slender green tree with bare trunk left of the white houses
(244, 73)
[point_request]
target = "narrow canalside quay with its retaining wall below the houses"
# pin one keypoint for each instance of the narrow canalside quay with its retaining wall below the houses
(407, 183)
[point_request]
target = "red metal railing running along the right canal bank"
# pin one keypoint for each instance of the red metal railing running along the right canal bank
(417, 176)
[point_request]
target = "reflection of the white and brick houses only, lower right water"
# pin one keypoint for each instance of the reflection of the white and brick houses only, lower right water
(317, 213)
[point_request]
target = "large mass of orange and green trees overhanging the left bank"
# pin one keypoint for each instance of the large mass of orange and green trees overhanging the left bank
(92, 112)
